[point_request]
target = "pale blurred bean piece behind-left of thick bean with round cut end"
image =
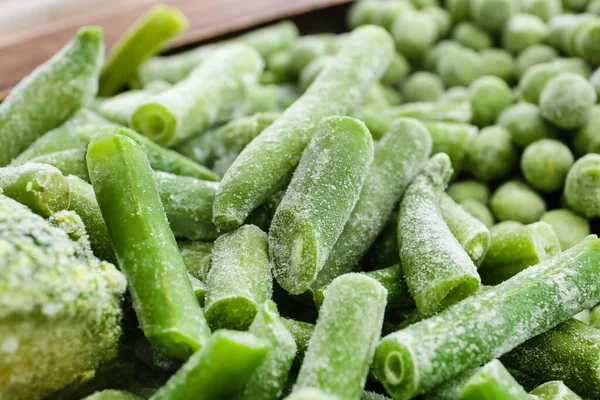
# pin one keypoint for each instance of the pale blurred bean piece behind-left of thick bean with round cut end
(119, 108)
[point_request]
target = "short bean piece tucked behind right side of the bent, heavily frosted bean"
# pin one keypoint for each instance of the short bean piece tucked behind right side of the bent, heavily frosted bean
(472, 234)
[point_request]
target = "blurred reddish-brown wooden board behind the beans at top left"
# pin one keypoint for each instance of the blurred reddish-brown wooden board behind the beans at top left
(208, 19)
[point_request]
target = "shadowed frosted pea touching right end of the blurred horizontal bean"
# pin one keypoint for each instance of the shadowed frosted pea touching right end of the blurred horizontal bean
(491, 155)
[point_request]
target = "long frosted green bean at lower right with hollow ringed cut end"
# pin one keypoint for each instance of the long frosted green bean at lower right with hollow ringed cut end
(489, 323)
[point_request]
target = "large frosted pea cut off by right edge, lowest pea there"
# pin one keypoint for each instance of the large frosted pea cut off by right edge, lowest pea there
(582, 186)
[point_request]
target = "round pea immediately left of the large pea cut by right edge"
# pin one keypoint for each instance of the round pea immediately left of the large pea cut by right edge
(545, 164)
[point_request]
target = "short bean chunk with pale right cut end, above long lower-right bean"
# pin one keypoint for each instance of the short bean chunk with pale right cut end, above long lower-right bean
(515, 248)
